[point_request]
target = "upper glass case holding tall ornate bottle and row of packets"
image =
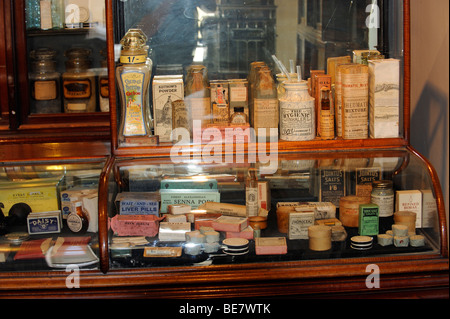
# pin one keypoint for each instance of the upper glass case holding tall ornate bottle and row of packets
(355, 50)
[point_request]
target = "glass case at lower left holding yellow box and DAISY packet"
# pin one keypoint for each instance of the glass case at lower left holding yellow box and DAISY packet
(49, 215)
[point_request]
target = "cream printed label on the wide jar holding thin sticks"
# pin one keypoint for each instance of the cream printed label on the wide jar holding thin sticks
(297, 121)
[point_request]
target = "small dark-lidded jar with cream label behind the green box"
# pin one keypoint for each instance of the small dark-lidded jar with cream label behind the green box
(383, 195)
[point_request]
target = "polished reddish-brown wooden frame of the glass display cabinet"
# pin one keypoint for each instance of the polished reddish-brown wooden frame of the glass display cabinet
(415, 276)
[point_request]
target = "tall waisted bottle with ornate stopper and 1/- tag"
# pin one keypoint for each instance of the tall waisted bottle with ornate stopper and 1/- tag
(133, 76)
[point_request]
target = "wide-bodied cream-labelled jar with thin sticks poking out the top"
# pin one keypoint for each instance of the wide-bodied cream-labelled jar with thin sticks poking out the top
(297, 114)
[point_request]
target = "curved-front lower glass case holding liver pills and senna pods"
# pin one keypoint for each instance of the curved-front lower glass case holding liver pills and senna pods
(198, 212)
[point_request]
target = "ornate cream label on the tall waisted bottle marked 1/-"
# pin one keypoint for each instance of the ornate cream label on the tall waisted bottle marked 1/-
(133, 85)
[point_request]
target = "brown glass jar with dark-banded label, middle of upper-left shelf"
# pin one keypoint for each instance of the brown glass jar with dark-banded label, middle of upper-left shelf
(79, 82)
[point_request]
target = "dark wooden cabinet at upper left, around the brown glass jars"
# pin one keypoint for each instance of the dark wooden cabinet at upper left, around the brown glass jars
(21, 121)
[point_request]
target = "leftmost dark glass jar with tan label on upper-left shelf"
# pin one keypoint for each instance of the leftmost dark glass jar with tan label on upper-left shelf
(45, 82)
